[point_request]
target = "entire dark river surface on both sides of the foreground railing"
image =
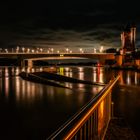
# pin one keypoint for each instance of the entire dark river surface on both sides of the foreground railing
(30, 110)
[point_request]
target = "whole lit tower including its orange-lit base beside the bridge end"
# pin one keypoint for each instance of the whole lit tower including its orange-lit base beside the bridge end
(128, 39)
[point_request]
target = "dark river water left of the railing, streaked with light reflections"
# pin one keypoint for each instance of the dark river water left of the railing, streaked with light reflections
(34, 111)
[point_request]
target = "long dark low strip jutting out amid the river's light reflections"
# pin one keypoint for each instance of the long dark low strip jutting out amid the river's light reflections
(54, 79)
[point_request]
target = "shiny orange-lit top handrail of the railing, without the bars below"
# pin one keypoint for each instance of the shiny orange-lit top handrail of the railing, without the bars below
(81, 117)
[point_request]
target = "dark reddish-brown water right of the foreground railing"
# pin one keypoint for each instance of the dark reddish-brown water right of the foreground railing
(126, 98)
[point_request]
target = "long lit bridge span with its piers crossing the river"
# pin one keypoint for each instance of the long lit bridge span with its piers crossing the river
(30, 57)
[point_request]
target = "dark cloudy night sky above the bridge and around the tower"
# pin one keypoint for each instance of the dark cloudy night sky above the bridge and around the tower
(68, 23)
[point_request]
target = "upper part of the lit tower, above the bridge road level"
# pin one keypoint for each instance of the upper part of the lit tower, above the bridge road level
(128, 37)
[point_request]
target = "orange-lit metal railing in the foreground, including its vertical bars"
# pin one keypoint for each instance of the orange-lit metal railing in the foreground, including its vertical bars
(91, 122)
